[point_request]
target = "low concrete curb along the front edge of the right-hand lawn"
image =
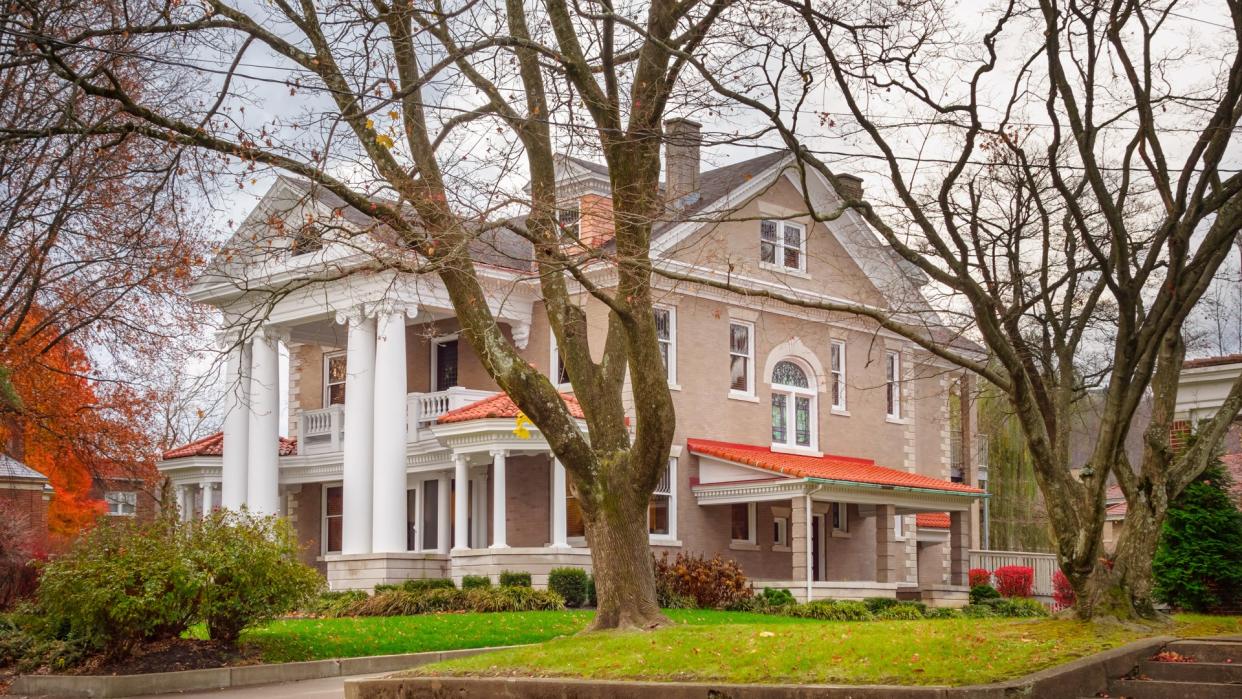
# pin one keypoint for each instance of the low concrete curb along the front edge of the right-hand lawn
(1084, 677)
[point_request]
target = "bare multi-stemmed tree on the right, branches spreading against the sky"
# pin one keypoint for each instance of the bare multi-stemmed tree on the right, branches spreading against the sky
(1060, 176)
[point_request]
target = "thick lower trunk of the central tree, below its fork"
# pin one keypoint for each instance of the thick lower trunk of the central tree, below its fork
(617, 532)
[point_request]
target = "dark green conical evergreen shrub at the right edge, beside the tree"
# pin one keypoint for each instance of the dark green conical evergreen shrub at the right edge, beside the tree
(1198, 564)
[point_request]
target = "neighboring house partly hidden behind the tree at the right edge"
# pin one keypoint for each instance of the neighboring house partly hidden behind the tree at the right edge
(1202, 390)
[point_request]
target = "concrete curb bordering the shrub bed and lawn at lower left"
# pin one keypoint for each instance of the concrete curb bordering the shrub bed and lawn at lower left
(224, 679)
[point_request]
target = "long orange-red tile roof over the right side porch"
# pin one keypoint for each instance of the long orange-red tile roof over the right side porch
(827, 467)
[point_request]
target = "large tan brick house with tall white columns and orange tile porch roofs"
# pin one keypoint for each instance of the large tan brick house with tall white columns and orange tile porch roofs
(814, 449)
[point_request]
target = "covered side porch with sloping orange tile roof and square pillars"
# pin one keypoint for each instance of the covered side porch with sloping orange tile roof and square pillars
(848, 530)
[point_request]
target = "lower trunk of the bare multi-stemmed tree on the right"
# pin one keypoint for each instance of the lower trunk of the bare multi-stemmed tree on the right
(1122, 587)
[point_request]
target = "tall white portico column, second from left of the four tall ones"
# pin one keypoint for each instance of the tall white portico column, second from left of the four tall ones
(263, 490)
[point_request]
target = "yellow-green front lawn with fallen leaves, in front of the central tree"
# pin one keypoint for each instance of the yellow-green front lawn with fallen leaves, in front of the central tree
(726, 649)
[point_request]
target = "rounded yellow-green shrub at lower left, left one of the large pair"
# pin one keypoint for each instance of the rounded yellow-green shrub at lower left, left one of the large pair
(122, 583)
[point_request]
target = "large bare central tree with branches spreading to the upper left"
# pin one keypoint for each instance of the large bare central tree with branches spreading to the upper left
(389, 91)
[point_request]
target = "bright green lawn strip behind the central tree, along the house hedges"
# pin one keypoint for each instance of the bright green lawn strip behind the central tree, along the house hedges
(311, 640)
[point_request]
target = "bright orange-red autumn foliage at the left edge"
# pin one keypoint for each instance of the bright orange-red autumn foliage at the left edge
(74, 430)
